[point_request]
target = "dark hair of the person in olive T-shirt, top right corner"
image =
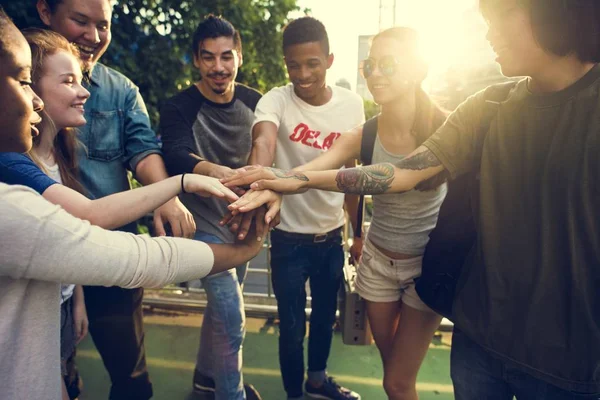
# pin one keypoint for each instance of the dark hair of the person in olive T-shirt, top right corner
(561, 27)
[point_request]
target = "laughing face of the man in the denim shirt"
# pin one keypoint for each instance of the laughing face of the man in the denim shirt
(86, 23)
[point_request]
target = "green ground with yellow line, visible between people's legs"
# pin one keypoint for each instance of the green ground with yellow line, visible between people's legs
(171, 351)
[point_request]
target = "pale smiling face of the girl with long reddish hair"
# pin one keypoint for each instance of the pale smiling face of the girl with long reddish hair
(60, 88)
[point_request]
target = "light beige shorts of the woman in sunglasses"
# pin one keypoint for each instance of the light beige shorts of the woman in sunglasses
(384, 280)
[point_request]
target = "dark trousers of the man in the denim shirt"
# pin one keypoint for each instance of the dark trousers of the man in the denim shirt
(117, 328)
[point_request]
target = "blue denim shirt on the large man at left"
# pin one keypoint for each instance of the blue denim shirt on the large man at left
(117, 135)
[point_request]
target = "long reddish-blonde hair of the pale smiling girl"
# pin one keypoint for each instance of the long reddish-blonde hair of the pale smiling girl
(45, 43)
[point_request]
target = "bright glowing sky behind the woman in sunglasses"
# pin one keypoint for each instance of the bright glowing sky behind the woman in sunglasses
(452, 32)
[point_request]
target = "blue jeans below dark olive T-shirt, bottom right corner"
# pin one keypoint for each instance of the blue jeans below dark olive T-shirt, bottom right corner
(476, 375)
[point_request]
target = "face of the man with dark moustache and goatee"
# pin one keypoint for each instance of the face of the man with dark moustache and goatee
(218, 62)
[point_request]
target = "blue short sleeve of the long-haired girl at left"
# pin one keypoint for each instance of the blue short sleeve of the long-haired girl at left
(18, 169)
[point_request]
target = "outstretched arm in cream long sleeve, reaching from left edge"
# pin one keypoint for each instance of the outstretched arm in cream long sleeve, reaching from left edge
(41, 241)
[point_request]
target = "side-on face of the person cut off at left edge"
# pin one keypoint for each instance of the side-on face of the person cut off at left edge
(19, 105)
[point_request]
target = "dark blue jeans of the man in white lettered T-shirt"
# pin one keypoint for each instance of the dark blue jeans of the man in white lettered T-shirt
(293, 261)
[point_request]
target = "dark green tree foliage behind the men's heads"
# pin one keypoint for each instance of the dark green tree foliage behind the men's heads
(152, 41)
